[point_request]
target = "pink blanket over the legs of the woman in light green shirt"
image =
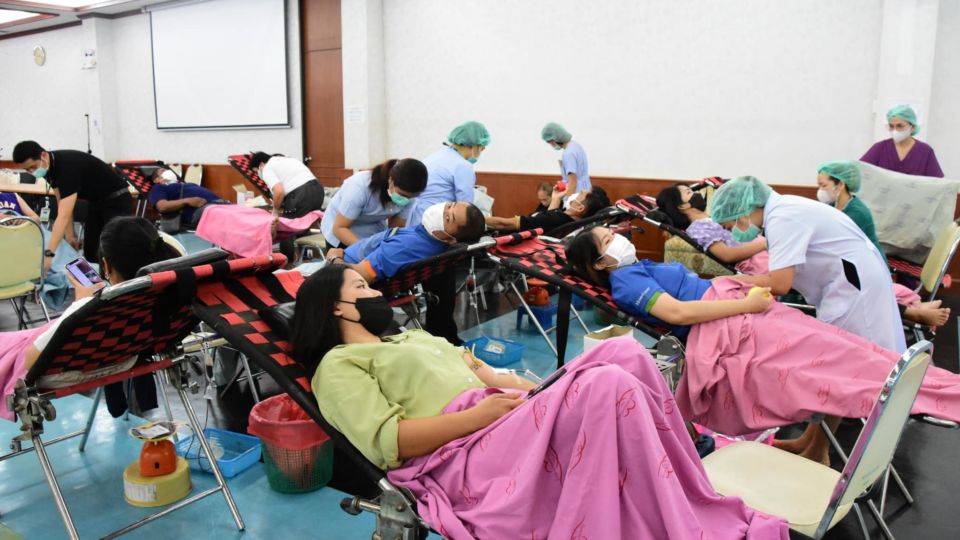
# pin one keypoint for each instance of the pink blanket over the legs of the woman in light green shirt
(603, 453)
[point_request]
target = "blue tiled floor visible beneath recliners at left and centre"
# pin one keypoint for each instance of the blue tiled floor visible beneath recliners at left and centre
(93, 487)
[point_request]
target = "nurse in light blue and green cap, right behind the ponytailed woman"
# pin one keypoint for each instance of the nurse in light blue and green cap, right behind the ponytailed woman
(450, 170)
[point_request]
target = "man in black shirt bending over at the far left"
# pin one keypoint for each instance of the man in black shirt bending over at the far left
(76, 175)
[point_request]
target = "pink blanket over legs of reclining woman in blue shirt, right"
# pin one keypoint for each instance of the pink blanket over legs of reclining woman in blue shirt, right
(752, 372)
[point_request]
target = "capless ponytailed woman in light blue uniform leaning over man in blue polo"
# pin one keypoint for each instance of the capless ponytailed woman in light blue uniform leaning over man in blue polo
(370, 201)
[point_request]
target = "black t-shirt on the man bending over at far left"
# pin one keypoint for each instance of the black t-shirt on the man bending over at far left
(73, 171)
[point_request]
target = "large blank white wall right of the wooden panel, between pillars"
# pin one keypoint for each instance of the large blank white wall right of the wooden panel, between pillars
(662, 89)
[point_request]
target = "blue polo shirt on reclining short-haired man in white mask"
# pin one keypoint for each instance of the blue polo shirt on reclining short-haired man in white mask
(386, 253)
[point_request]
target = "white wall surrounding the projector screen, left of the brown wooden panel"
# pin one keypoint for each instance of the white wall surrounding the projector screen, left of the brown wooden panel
(47, 103)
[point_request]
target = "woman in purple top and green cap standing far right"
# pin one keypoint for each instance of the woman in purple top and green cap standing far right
(901, 152)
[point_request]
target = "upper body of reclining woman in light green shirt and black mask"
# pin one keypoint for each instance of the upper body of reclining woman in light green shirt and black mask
(397, 386)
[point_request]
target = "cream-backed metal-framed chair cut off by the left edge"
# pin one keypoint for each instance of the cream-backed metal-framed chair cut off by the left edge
(21, 249)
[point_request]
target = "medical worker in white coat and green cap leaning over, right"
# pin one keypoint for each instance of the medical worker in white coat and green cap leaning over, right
(819, 252)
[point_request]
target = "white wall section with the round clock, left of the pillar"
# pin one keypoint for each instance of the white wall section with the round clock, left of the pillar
(45, 103)
